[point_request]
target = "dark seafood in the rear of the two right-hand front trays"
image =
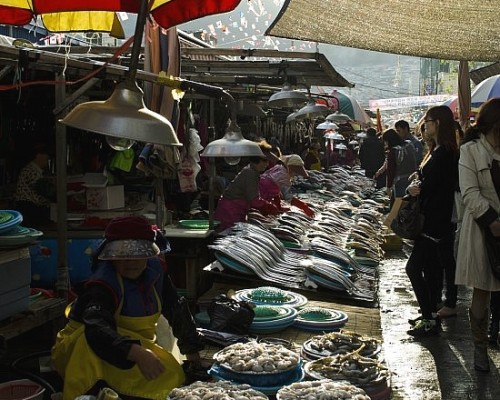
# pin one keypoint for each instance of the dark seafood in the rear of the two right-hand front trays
(342, 342)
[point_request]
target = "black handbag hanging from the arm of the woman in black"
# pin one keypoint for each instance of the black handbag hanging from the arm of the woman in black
(409, 221)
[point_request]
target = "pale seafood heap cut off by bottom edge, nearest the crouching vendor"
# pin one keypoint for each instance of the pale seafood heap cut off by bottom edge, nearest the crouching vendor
(222, 390)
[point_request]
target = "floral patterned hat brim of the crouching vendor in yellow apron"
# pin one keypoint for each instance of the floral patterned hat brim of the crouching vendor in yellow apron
(129, 249)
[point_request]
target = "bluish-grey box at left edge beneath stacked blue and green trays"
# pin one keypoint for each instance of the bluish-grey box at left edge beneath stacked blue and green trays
(15, 278)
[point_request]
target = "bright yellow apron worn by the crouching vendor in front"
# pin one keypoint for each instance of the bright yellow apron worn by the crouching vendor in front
(81, 368)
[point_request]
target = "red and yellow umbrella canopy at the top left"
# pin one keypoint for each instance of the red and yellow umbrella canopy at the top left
(98, 15)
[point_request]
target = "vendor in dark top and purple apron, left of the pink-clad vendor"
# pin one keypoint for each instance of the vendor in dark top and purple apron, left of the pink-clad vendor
(242, 194)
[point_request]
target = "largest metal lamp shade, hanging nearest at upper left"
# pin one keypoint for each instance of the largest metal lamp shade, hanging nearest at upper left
(123, 115)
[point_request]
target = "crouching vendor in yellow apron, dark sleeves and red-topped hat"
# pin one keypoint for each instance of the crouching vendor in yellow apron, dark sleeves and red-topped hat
(109, 340)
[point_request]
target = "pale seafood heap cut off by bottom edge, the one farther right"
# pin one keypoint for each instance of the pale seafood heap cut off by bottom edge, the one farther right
(324, 389)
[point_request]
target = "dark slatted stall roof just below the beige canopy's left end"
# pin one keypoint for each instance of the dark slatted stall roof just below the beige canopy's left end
(258, 72)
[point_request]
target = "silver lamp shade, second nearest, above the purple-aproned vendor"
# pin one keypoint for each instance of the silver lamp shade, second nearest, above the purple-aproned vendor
(232, 145)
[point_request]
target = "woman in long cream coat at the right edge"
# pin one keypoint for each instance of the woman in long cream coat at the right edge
(479, 178)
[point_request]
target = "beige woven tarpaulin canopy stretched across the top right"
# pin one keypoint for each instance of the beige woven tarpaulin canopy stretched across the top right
(451, 30)
